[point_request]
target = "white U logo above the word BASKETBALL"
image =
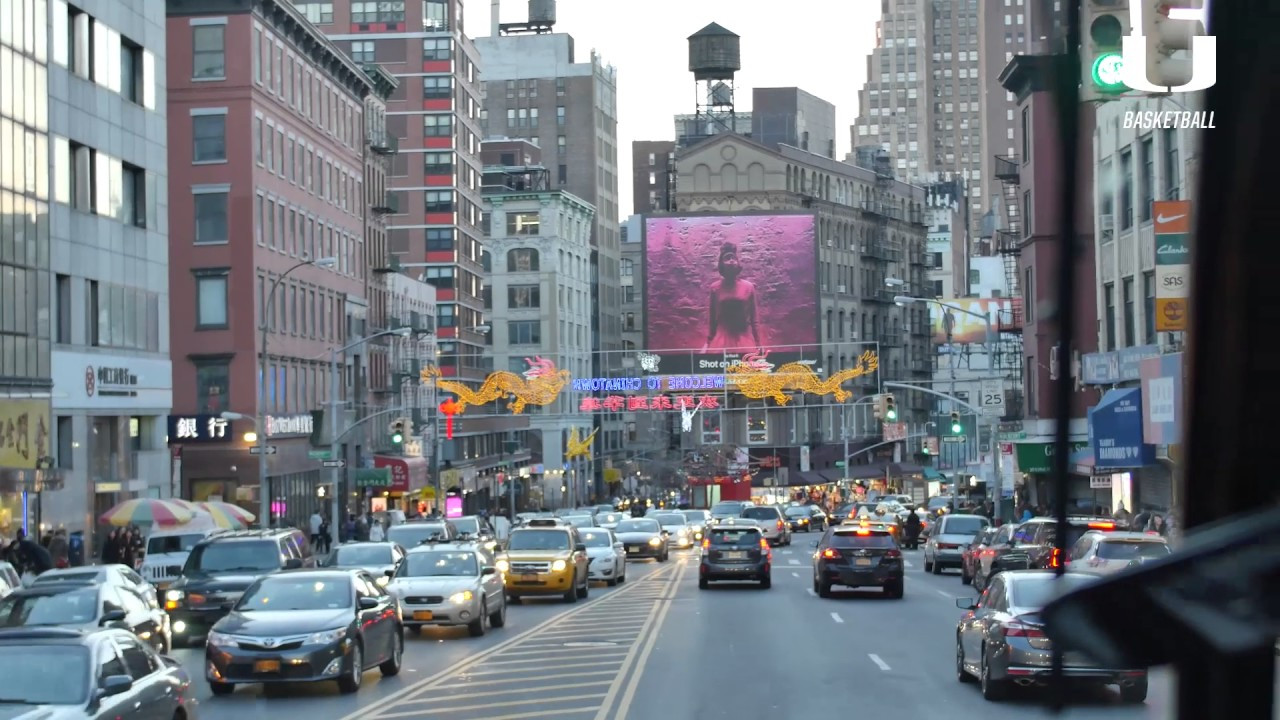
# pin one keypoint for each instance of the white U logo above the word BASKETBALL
(1154, 69)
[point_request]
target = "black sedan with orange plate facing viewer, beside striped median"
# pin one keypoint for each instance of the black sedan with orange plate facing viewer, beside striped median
(307, 626)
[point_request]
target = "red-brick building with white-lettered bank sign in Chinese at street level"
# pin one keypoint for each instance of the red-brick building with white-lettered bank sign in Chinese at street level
(267, 203)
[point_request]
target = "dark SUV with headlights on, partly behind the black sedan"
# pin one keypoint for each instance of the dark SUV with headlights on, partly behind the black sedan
(222, 568)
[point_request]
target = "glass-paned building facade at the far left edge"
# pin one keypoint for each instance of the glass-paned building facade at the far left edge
(26, 343)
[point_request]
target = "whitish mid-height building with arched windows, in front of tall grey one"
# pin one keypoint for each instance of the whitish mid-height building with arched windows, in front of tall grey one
(540, 302)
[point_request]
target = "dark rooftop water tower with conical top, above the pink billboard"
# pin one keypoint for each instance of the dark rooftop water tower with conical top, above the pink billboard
(715, 58)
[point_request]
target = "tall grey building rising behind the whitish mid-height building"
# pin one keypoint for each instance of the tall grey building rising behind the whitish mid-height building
(536, 89)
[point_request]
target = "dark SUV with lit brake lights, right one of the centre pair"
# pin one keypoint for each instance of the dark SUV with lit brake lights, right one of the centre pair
(858, 558)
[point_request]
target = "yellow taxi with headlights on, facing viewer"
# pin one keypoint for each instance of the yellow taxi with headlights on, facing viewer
(545, 558)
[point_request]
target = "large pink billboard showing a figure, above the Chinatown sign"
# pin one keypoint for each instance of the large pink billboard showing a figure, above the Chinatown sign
(719, 288)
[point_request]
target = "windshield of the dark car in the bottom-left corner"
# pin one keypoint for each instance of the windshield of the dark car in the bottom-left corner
(44, 675)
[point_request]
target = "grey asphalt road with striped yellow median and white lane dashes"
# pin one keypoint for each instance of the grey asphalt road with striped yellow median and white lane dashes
(659, 649)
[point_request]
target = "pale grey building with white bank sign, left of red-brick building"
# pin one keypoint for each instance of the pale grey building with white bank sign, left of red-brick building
(111, 258)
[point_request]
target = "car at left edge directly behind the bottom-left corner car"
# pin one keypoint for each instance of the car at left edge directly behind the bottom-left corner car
(86, 607)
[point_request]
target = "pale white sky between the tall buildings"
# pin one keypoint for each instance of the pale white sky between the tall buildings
(817, 45)
